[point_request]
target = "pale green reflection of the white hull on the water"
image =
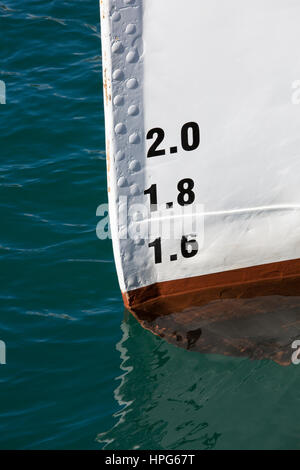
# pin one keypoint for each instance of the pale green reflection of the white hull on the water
(170, 398)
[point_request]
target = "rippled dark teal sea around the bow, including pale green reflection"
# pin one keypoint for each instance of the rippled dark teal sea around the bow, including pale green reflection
(80, 373)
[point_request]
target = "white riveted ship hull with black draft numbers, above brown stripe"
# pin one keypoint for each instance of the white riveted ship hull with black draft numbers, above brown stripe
(228, 70)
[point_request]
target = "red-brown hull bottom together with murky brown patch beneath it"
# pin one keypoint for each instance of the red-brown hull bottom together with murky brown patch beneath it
(252, 312)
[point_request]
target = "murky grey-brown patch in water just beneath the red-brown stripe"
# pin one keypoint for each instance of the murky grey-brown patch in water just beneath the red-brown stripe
(257, 328)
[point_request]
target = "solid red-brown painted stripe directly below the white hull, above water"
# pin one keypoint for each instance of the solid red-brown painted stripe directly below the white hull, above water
(279, 278)
